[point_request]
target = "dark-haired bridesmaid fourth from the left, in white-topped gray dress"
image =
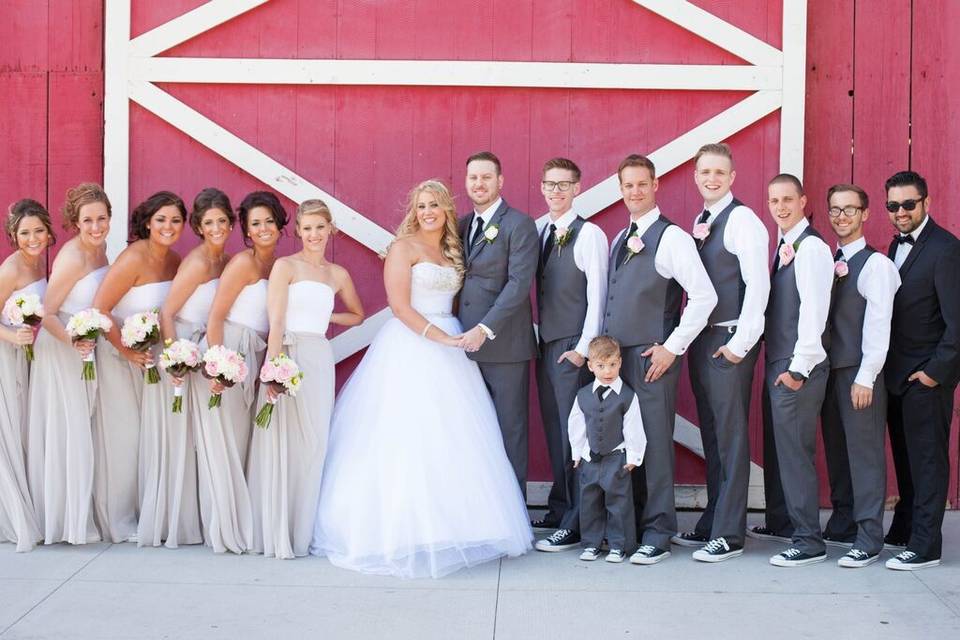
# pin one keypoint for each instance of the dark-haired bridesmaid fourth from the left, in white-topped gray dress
(169, 511)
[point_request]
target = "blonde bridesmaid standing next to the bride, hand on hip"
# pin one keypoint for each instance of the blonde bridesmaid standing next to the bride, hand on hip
(286, 459)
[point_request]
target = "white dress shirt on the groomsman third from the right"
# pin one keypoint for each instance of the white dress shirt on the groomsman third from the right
(814, 274)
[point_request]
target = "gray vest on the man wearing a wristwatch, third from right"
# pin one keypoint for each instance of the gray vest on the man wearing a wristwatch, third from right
(783, 309)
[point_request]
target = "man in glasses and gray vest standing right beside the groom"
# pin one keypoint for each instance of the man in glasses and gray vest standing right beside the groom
(571, 285)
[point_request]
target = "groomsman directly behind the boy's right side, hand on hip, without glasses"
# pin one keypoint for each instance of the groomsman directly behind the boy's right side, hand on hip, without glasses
(652, 263)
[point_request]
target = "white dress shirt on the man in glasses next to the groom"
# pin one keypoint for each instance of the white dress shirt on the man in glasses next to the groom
(590, 252)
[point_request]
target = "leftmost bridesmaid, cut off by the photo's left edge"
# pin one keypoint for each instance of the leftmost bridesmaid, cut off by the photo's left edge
(30, 232)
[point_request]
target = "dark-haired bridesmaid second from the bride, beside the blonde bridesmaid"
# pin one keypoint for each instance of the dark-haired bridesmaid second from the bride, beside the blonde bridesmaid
(238, 320)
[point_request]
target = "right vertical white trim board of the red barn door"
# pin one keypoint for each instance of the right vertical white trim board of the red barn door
(794, 86)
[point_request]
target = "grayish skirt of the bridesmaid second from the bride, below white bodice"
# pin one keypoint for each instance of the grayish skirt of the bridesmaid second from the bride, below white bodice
(222, 435)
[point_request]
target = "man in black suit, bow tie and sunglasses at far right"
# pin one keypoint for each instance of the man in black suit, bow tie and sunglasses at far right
(922, 369)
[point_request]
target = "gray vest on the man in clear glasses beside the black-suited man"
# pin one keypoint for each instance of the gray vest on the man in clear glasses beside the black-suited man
(847, 309)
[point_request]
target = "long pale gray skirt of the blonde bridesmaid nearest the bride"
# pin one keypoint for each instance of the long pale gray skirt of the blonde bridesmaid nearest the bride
(287, 458)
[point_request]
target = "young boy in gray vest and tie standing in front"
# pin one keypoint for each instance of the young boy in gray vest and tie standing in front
(607, 443)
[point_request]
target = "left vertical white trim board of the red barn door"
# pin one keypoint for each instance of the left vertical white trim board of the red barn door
(116, 125)
